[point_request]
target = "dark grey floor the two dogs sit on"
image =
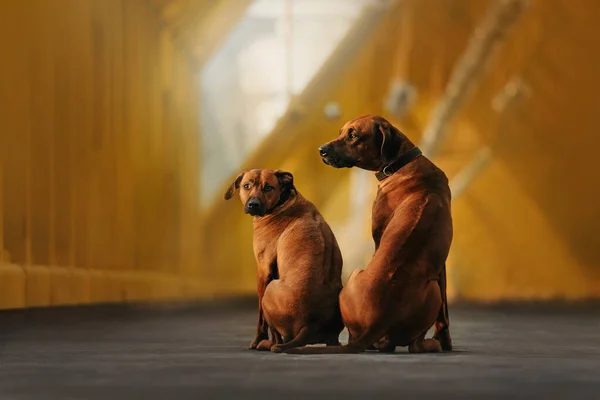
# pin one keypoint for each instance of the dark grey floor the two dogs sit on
(118, 353)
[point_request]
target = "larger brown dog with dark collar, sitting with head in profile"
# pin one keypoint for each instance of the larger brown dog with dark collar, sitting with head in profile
(402, 292)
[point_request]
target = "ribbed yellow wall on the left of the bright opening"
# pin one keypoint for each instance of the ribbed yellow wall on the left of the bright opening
(98, 153)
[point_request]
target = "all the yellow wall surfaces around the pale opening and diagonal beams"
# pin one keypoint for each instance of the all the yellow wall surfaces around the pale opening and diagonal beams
(99, 150)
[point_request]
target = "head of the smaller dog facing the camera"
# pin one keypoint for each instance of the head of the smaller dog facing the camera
(261, 190)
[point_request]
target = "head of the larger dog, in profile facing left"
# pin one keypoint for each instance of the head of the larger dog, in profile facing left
(369, 142)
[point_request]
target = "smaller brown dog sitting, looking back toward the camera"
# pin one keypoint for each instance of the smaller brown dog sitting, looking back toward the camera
(299, 263)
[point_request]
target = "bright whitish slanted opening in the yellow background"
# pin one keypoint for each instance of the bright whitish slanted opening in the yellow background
(272, 54)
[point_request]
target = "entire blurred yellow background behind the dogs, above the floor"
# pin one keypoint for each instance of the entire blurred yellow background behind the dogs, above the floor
(122, 123)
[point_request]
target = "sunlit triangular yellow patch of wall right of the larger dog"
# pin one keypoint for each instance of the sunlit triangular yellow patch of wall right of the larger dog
(519, 265)
